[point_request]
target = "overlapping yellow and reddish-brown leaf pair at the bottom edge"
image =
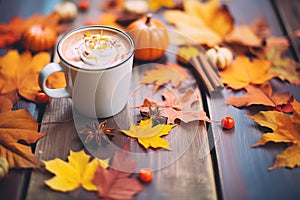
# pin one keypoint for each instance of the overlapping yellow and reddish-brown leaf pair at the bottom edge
(111, 182)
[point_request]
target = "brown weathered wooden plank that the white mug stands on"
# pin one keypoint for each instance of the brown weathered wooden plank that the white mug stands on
(184, 173)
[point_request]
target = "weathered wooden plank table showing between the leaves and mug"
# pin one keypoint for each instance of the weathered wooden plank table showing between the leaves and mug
(216, 165)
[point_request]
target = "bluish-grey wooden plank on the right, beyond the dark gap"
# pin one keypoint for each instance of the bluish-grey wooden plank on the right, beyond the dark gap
(243, 170)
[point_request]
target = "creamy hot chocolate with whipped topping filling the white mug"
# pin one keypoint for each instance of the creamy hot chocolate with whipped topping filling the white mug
(95, 49)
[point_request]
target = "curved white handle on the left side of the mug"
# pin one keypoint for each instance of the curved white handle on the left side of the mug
(43, 76)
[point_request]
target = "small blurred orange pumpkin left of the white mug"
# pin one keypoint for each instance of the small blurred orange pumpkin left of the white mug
(39, 38)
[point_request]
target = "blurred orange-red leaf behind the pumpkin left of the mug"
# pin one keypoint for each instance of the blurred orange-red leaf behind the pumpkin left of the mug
(11, 33)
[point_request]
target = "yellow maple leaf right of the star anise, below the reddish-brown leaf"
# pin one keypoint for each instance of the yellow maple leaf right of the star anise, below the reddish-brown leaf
(149, 136)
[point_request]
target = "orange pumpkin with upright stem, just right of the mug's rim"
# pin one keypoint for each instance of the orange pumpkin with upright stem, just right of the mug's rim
(150, 38)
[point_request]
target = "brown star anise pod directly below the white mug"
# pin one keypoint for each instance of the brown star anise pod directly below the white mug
(97, 132)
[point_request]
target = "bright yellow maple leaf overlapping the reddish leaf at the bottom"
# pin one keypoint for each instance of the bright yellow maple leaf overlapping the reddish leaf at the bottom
(79, 171)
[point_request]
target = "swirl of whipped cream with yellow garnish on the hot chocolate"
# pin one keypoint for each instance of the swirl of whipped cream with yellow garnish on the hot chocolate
(100, 50)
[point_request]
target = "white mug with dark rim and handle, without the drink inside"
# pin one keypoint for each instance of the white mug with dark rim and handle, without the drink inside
(97, 93)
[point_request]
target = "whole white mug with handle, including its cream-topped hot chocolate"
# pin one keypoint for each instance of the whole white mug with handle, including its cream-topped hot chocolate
(97, 62)
